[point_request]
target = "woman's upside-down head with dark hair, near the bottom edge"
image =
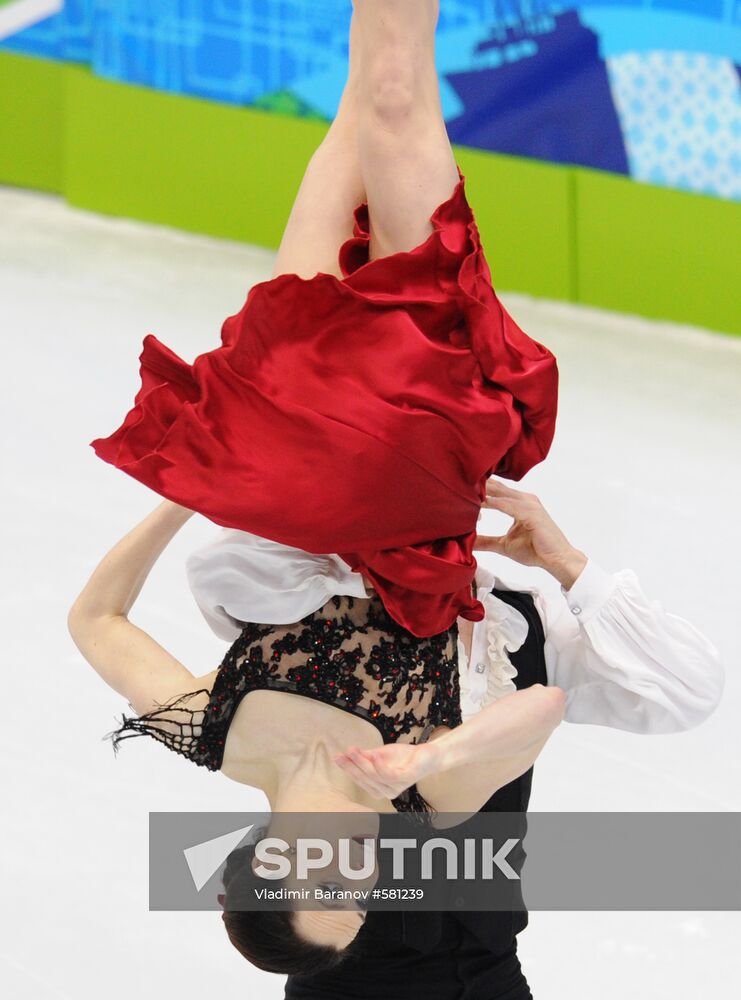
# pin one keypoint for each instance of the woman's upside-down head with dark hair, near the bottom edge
(283, 941)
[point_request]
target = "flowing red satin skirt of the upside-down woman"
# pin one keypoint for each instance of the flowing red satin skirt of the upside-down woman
(359, 416)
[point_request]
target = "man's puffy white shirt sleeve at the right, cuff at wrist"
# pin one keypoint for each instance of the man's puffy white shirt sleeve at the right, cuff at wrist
(623, 660)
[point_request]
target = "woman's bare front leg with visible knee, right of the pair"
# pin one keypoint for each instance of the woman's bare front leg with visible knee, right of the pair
(407, 163)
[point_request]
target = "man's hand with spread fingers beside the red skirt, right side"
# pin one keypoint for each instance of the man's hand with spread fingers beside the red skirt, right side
(534, 539)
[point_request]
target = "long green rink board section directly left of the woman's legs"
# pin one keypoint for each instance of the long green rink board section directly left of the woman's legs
(197, 165)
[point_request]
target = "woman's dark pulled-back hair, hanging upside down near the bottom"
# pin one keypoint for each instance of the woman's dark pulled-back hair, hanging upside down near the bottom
(267, 938)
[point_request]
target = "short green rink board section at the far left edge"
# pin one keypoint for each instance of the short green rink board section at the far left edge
(31, 120)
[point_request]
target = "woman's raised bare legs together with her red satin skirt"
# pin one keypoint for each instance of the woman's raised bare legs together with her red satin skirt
(376, 368)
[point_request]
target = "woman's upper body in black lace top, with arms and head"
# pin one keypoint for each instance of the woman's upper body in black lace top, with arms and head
(365, 680)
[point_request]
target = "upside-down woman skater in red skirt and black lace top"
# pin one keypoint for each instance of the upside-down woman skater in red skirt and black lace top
(378, 369)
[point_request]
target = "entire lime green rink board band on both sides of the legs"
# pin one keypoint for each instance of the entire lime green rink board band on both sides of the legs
(547, 230)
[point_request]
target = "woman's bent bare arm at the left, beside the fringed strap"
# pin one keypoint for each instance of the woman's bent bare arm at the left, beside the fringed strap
(128, 659)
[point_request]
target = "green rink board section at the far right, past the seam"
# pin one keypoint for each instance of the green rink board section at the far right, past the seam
(657, 252)
